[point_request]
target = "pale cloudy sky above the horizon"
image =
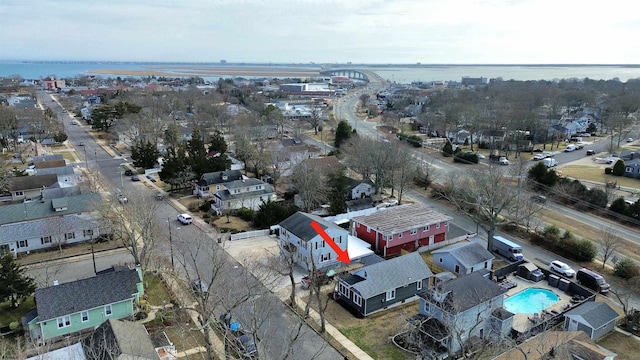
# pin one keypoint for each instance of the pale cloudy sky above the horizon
(323, 31)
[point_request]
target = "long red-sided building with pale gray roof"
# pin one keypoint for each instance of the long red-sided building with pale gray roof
(405, 227)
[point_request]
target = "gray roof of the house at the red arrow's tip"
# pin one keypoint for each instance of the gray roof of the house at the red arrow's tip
(391, 274)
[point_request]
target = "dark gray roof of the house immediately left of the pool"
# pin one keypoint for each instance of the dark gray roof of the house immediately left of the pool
(463, 293)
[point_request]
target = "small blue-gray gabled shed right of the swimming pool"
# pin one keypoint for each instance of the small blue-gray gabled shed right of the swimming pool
(594, 318)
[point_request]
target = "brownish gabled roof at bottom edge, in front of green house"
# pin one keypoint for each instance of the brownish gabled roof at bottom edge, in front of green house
(119, 339)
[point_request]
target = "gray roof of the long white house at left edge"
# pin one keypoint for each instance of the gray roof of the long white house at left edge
(45, 227)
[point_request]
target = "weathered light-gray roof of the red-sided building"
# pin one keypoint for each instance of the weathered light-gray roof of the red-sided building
(398, 219)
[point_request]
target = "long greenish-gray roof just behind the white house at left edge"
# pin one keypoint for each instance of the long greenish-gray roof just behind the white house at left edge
(42, 209)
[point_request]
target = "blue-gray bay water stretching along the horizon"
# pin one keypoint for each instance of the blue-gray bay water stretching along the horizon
(397, 73)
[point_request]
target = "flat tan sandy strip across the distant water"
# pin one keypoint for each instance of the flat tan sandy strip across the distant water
(214, 71)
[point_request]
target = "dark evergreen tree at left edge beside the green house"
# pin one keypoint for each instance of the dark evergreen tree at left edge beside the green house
(14, 283)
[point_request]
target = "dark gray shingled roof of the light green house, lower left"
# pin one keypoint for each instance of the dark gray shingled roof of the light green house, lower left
(73, 297)
